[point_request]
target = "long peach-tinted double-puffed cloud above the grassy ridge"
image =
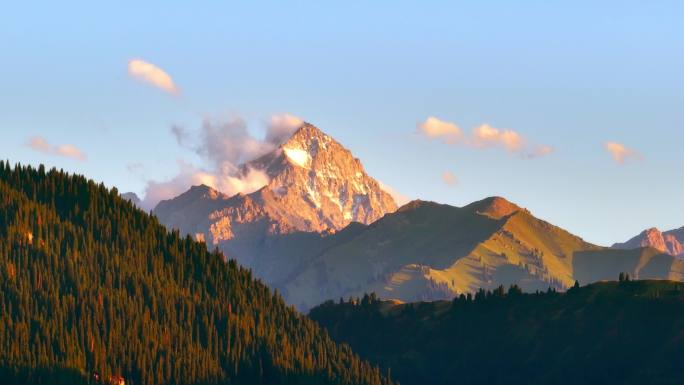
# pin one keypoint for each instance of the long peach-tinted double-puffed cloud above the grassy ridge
(483, 136)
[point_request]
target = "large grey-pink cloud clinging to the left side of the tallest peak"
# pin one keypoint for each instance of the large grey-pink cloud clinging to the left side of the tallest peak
(223, 146)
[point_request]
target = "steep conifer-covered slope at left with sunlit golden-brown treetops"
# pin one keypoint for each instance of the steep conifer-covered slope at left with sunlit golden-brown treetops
(93, 290)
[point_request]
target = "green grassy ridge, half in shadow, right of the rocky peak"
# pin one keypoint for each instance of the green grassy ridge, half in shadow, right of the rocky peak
(431, 251)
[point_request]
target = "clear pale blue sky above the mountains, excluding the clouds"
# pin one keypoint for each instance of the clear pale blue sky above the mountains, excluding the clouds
(569, 75)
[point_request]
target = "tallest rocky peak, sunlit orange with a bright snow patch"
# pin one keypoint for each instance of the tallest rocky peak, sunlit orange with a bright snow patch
(316, 185)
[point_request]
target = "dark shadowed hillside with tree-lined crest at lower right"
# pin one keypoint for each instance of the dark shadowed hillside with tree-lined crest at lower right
(629, 332)
